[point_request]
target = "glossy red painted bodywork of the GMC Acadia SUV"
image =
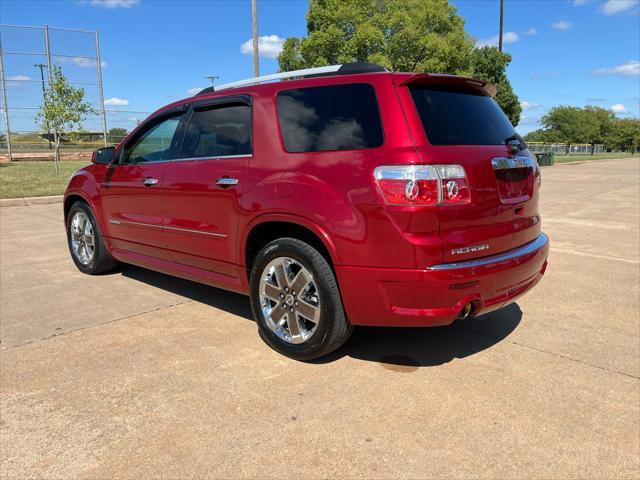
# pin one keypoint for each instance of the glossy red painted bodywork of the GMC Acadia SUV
(381, 253)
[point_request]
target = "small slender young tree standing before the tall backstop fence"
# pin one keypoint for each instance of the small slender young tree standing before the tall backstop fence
(63, 109)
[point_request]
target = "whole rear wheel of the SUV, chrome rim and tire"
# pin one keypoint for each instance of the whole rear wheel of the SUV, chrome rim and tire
(296, 301)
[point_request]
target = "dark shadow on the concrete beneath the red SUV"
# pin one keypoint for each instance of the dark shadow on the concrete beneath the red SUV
(398, 349)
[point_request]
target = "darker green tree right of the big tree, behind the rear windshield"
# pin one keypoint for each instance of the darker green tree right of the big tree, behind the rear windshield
(490, 65)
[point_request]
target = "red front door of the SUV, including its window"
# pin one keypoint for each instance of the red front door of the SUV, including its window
(132, 191)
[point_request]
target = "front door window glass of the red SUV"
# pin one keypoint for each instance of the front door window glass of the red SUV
(155, 144)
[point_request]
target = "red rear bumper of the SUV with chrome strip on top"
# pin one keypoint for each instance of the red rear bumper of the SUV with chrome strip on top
(436, 295)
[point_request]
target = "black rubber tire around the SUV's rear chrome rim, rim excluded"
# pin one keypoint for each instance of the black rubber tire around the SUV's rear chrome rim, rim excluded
(332, 330)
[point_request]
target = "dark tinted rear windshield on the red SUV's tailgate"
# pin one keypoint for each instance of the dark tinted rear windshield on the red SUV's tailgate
(455, 117)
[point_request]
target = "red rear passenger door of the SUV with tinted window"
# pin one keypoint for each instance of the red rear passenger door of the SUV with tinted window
(202, 189)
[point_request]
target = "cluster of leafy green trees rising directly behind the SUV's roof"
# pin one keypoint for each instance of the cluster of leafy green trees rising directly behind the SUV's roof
(402, 35)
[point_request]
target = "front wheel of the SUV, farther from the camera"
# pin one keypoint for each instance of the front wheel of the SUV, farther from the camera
(86, 244)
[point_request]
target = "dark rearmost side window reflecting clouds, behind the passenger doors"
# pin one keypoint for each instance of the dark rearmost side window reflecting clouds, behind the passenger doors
(336, 117)
